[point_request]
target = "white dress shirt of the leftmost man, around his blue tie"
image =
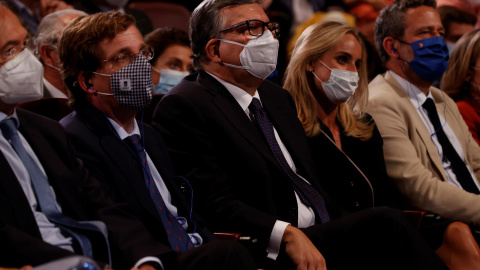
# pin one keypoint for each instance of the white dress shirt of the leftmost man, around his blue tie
(49, 232)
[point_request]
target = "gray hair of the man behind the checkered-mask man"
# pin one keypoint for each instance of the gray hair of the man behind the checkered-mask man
(50, 28)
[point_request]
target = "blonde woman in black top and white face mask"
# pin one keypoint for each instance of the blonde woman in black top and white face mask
(328, 81)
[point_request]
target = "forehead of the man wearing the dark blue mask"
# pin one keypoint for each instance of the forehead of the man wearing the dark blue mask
(422, 16)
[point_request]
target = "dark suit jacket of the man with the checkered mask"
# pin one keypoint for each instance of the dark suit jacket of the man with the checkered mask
(109, 160)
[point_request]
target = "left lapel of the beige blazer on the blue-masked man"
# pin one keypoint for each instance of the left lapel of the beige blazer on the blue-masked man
(420, 127)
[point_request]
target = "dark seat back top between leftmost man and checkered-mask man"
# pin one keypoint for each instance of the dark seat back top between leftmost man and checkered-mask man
(53, 108)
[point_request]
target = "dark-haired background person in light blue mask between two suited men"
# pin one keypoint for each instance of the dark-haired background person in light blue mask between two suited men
(172, 58)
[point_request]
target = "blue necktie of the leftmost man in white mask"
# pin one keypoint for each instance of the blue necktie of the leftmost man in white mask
(45, 195)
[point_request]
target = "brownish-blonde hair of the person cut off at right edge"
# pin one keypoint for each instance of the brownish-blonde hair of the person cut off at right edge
(462, 59)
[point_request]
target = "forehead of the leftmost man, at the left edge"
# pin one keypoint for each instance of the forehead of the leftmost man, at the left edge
(10, 28)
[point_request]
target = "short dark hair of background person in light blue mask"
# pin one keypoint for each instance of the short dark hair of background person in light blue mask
(162, 38)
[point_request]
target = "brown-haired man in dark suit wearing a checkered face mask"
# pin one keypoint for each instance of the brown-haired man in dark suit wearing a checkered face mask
(107, 96)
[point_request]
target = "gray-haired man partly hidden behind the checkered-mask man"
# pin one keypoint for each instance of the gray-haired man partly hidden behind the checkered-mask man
(46, 38)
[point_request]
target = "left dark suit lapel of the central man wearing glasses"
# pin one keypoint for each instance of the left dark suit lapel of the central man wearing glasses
(234, 114)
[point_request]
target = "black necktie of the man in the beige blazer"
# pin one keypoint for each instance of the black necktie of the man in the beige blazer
(458, 166)
